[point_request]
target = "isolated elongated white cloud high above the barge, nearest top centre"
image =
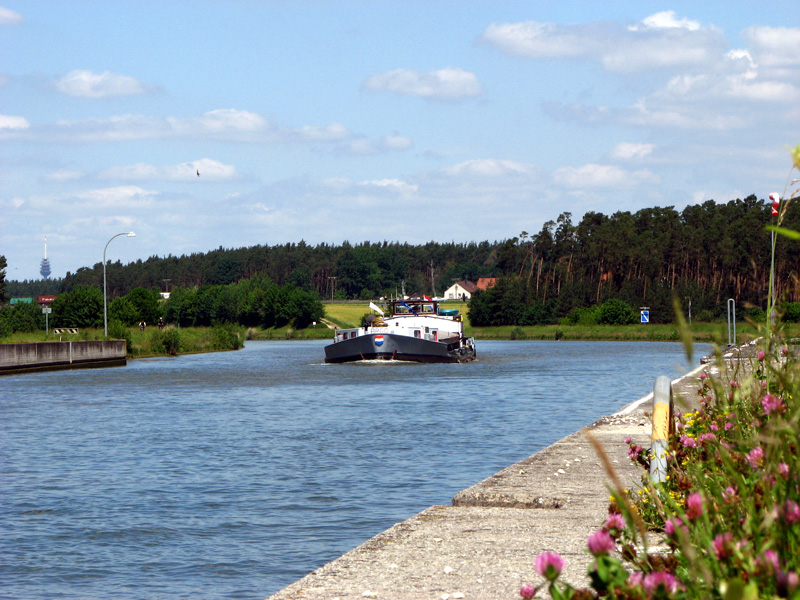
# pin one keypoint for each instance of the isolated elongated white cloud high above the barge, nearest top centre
(444, 84)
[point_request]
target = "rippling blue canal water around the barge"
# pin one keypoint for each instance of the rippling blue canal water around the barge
(231, 475)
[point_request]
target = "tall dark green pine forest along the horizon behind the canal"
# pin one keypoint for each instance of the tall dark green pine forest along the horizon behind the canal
(702, 255)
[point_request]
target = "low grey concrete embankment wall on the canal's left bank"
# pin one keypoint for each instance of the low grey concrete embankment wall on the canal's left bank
(46, 356)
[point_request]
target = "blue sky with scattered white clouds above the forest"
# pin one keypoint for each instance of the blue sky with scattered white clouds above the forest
(404, 121)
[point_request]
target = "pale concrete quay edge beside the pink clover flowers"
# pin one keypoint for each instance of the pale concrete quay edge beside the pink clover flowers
(484, 545)
